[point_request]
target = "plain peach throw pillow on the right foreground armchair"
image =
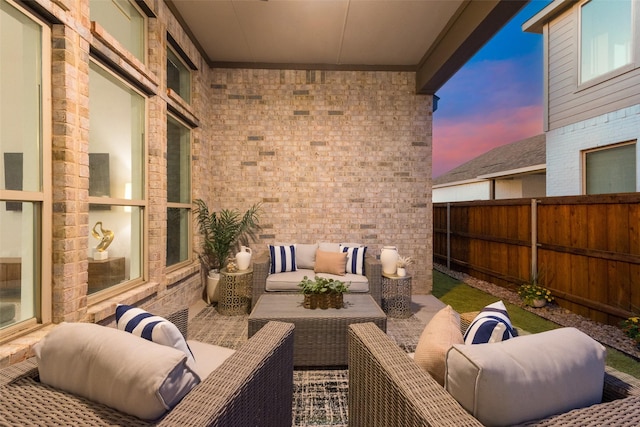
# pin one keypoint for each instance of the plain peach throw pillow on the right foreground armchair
(440, 334)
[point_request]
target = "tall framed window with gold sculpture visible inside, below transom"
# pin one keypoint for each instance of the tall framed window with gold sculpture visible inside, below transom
(116, 180)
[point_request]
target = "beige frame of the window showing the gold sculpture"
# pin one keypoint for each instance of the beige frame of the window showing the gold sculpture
(142, 203)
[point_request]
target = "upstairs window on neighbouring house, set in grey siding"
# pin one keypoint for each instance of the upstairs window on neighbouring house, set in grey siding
(606, 37)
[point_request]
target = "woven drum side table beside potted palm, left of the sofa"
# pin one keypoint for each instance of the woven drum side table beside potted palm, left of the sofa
(235, 292)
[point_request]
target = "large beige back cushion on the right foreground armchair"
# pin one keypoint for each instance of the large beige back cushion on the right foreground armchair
(526, 378)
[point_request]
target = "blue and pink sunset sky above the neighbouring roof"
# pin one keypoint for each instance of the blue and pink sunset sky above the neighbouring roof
(495, 99)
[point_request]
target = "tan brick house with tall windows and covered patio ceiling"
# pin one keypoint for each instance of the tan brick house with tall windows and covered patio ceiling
(116, 115)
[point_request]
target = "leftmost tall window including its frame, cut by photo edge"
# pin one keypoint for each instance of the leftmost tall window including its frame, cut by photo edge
(25, 154)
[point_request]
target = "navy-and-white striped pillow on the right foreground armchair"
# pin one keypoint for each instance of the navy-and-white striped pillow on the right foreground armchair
(492, 324)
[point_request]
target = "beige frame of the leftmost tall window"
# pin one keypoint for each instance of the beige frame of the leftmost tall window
(43, 198)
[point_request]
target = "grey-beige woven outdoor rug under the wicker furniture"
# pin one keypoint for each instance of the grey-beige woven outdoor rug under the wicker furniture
(319, 396)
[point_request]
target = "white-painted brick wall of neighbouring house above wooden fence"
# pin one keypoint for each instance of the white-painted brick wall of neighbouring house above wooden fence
(565, 146)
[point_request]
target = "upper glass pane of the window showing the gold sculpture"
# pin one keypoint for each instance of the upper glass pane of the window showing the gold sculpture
(116, 137)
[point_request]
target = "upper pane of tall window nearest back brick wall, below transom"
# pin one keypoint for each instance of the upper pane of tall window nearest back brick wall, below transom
(178, 162)
